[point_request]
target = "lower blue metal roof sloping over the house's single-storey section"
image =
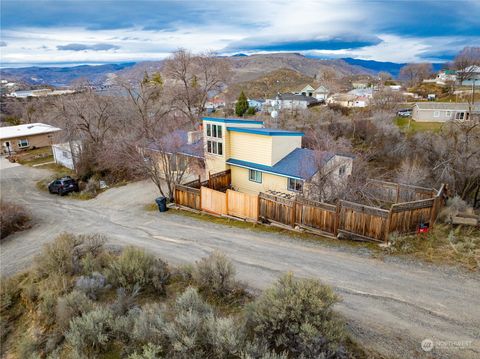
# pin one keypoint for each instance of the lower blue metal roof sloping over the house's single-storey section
(301, 163)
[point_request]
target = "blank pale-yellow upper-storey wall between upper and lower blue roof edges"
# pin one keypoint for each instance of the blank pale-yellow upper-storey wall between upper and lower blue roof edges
(251, 148)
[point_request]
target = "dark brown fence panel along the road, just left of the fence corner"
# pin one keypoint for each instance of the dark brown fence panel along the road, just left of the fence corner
(363, 222)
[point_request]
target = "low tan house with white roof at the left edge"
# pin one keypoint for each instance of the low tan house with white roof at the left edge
(25, 137)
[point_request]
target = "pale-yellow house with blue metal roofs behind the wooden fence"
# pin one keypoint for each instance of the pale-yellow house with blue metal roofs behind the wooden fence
(265, 159)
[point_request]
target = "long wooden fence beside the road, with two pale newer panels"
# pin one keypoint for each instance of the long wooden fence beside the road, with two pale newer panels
(348, 219)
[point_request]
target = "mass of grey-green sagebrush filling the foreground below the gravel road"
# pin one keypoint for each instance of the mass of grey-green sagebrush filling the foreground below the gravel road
(88, 303)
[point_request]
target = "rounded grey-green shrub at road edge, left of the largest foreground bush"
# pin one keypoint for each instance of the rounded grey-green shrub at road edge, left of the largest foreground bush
(215, 274)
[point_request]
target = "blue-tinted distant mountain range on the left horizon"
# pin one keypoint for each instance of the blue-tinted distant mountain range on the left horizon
(62, 76)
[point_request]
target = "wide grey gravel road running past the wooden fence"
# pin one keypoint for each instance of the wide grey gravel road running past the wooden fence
(390, 307)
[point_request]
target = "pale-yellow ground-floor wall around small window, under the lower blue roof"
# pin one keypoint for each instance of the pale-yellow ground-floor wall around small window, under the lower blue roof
(241, 183)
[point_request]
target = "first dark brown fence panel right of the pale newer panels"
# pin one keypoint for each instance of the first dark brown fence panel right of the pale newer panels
(277, 209)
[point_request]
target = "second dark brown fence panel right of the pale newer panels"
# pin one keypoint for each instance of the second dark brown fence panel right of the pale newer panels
(318, 215)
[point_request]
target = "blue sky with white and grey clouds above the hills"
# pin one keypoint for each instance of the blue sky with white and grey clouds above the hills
(102, 31)
